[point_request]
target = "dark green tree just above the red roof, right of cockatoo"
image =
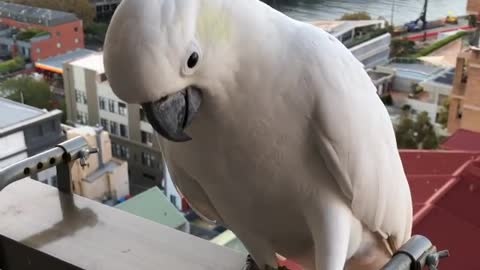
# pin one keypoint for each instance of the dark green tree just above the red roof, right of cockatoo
(416, 134)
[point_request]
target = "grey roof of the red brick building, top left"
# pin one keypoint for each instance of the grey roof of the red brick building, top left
(34, 15)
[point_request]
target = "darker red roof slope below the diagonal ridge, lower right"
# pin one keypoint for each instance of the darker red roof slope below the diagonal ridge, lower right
(451, 219)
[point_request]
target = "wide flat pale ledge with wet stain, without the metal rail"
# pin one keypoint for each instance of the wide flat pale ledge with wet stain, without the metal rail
(45, 225)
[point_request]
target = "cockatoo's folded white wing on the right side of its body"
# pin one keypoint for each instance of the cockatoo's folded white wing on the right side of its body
(356, 138)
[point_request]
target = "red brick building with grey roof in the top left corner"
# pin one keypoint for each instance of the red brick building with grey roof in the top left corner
(38, 33)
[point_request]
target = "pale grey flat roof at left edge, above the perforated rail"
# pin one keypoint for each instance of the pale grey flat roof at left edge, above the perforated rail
(12, 113)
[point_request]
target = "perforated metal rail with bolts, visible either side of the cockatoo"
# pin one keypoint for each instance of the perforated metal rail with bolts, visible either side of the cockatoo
(416, 254)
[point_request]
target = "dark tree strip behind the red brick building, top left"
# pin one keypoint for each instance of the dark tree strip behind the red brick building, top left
(82, 8)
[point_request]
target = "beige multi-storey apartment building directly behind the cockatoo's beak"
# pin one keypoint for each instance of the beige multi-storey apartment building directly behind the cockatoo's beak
(91, 101)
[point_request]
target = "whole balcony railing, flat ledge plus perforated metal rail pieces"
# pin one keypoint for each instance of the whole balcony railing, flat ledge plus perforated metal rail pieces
(43, 227)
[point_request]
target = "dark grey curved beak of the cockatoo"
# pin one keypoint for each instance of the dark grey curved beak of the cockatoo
(170, 115)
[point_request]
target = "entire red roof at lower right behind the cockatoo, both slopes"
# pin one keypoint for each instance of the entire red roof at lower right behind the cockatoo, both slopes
(445, 188)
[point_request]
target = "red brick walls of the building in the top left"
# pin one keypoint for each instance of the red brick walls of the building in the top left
(64, 34)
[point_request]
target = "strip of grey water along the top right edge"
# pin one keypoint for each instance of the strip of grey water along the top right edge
(404, 10)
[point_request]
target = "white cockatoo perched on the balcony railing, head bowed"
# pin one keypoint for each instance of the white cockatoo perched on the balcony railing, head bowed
(268, 125)
